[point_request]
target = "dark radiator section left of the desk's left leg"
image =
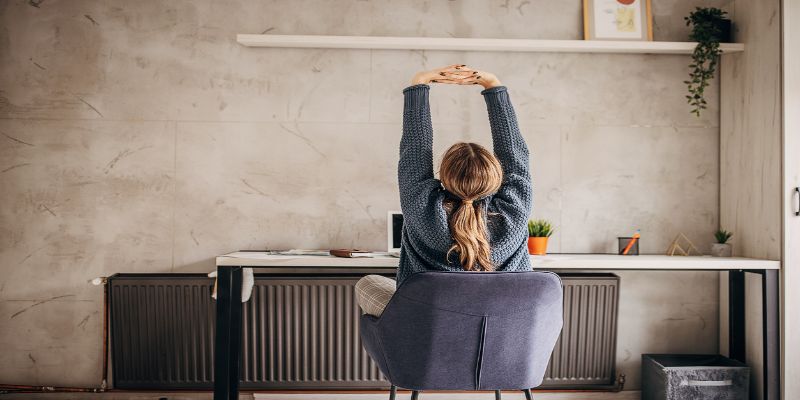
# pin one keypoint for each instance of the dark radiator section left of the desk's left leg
(161, 331)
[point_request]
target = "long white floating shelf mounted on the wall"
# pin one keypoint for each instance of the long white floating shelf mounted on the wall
(469, 44)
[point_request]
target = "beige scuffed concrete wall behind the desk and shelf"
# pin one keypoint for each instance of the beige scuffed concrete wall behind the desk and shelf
(139, 137)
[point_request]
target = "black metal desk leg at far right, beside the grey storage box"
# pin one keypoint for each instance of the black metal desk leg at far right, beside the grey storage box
(770, 303)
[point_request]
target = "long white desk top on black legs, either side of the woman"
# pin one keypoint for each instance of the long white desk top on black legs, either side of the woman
(550, 262)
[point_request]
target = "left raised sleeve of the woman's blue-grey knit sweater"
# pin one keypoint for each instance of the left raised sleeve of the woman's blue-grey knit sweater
(424, 217)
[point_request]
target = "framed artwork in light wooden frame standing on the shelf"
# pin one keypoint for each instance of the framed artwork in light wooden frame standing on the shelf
(617, 20)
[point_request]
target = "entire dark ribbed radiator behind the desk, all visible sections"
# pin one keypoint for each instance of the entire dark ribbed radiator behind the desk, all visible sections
(302, 332)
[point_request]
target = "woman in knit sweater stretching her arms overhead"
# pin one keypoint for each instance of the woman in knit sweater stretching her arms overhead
(474, 218)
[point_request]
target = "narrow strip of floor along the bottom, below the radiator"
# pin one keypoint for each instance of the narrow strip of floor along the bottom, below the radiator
(627, 395)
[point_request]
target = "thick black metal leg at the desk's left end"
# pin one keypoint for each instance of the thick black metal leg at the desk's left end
(228, 341)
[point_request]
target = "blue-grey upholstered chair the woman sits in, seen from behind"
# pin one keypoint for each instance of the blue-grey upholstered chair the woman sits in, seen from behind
(467, 330)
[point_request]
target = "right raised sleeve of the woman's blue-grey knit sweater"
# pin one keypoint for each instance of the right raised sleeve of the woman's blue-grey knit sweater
(513, 199)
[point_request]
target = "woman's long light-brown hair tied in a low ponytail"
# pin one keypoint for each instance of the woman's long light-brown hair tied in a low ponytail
(470, 172)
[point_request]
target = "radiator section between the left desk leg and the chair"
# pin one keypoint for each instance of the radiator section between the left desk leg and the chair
(303, 332)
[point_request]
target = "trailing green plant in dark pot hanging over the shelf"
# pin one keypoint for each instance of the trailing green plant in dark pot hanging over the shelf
(709, 28)
